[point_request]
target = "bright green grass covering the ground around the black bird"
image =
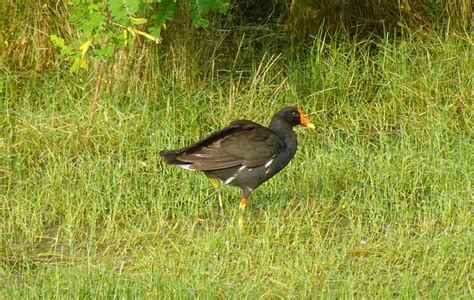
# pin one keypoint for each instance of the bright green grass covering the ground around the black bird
(377, 203)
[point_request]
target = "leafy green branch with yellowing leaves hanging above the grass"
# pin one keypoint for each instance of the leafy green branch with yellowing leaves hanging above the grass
(104, 25)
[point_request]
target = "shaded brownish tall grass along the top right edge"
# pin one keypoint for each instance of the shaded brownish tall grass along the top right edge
(307, 17)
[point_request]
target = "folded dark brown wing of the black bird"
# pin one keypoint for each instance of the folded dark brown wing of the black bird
(241, 143)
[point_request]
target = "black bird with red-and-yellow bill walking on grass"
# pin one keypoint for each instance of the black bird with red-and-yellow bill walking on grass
(244, 154)
